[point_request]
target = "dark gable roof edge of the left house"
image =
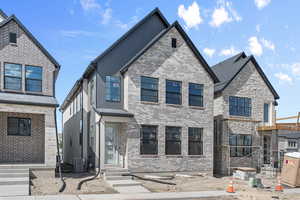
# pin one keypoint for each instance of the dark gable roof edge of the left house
(35, 41)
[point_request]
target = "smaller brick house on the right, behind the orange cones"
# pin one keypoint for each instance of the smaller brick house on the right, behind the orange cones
(244, 101)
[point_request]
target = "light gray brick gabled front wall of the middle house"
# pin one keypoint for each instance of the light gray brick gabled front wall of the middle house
(164, 62)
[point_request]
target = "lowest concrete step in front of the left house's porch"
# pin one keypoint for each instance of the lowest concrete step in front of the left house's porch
(14, 190)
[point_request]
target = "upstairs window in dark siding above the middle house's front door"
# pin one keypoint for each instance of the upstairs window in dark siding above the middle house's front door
(113, 88)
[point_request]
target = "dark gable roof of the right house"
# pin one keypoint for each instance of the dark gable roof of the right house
(228, 69)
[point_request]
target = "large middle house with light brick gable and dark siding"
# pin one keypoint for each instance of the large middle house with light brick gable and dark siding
(145, 104)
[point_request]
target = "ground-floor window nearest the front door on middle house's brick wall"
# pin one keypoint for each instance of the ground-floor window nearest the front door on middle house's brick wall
(149, 140)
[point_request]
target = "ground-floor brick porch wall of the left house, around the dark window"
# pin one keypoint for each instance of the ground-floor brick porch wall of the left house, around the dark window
(43, 137)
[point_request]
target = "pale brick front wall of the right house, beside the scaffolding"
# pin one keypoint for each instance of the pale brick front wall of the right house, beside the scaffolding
(247, 84)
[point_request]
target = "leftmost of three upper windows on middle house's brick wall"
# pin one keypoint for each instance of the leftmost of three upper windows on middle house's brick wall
(149, 89)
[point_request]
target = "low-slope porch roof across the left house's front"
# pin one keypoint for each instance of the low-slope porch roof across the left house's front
(26, 99)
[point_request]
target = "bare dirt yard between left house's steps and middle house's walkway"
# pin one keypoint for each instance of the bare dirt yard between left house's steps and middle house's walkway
(43, 183)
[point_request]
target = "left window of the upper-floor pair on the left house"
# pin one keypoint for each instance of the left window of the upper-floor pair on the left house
(12, 76)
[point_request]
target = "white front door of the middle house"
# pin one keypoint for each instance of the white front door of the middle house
(111, 143)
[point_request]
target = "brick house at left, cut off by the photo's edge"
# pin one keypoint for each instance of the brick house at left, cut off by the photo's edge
(27, 97)
